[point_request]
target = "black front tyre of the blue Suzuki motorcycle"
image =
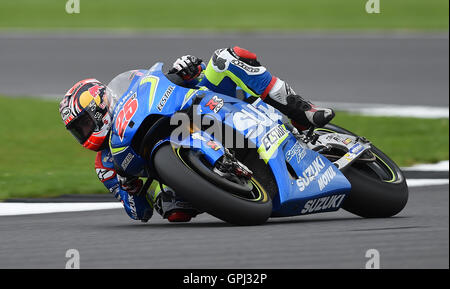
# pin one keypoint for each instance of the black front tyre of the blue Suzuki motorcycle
(204, 195)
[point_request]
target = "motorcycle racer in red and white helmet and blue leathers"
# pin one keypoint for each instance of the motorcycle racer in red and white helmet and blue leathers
(87, 113)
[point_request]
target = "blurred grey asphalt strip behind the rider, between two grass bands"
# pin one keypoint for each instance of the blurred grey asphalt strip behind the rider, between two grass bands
(408, 69)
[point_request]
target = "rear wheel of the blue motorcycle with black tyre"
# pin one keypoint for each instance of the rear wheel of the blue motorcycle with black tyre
(378, 188)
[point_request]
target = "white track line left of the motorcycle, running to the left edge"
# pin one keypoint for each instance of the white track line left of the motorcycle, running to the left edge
(13, 209)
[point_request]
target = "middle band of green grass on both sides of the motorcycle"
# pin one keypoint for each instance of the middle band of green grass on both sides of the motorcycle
(39, 158)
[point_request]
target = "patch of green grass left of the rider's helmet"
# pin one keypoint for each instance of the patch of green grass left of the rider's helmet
(38, 156)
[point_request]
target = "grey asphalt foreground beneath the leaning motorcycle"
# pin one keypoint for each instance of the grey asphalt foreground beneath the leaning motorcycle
(416, 238)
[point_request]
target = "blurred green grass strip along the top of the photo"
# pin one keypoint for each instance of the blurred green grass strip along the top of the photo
(226, 15)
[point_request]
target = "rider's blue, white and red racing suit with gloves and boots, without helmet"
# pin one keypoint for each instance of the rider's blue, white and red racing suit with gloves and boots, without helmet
(229, 69)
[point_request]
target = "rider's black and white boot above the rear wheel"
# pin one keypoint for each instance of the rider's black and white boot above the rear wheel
(302, 113)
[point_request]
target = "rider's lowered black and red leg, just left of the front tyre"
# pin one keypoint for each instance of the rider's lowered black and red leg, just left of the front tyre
(173, 208)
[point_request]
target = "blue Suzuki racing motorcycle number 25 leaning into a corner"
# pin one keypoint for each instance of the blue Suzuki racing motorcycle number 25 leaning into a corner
(262, 168)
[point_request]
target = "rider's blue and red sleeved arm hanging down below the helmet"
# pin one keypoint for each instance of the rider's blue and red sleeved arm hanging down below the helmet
(136, 206)
